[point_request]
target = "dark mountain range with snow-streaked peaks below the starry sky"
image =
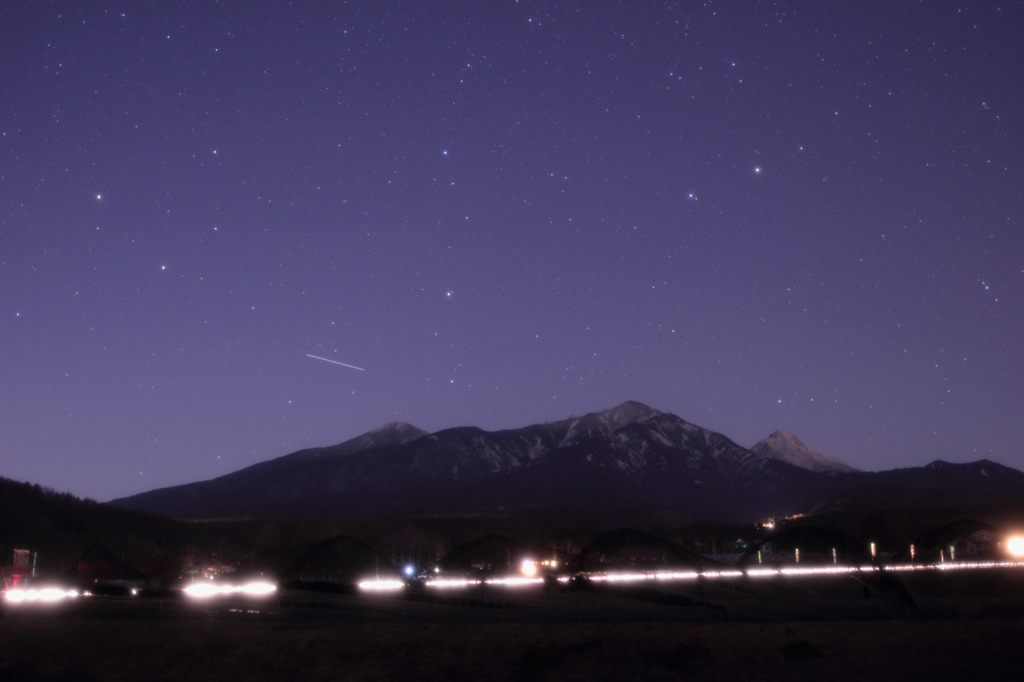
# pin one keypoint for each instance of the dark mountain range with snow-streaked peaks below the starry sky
(627, 461)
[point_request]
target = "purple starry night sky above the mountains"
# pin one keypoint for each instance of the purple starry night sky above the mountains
(804, 217)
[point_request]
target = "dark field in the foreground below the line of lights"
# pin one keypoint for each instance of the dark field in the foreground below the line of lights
(937, 627)
